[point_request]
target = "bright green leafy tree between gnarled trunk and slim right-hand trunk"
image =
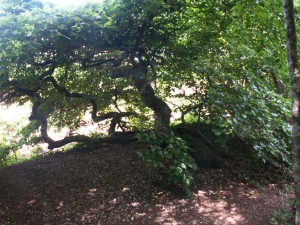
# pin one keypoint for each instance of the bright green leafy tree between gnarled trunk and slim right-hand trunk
(236, 72)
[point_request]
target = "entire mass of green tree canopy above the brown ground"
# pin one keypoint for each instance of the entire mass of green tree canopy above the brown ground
(220, 62)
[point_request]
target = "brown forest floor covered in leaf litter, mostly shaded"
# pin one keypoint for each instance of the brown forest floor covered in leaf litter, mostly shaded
(111, 185)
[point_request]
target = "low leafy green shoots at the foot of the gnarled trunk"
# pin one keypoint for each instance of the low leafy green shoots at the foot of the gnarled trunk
(169, 152)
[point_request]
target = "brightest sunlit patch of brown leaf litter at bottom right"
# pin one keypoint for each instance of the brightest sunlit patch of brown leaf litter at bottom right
(237, 205)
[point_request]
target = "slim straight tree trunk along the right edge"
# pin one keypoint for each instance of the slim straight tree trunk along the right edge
(291, 37)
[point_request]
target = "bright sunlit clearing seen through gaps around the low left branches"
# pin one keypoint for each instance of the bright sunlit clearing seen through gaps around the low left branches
(15, 117)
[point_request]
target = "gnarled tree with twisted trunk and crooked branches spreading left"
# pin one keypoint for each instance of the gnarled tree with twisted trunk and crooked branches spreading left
(49, 55)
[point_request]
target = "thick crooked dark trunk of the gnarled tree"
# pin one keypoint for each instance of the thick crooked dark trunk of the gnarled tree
(138, 74)
